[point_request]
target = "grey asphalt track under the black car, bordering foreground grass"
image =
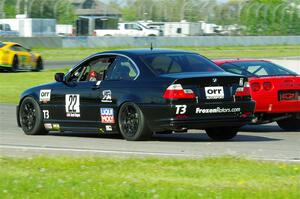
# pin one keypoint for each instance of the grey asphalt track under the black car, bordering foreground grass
(266, 142)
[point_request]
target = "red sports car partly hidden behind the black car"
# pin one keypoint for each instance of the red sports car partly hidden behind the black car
(275, 89)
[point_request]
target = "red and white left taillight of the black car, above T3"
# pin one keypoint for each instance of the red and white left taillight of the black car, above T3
(175, 91)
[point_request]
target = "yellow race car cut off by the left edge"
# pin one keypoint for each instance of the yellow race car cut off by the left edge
(15, 57)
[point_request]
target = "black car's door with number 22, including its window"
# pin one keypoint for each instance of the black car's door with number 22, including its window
(77, 99)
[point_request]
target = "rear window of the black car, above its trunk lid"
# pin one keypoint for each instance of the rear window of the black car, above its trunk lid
(178, 63)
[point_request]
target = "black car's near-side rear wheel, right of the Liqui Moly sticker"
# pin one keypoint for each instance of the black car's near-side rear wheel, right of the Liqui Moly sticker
(132, 123)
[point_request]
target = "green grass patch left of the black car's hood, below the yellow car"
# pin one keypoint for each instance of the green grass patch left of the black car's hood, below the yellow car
(13, 84)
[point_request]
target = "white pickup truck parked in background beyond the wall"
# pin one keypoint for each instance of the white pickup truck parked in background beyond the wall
(128, 29)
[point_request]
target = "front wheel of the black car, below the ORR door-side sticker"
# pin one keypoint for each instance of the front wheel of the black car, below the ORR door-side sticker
(31, 117)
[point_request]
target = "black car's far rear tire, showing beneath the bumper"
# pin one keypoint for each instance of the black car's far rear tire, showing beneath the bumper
(222, 133)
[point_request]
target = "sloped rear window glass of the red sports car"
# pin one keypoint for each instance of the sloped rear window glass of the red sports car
(256, 68)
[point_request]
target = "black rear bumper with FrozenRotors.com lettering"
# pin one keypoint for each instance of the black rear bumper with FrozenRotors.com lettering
(164, 117)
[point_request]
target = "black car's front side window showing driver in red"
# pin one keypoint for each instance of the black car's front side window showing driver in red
(92, 70)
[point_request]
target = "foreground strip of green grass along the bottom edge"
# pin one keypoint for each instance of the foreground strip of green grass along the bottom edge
(102, 177)
